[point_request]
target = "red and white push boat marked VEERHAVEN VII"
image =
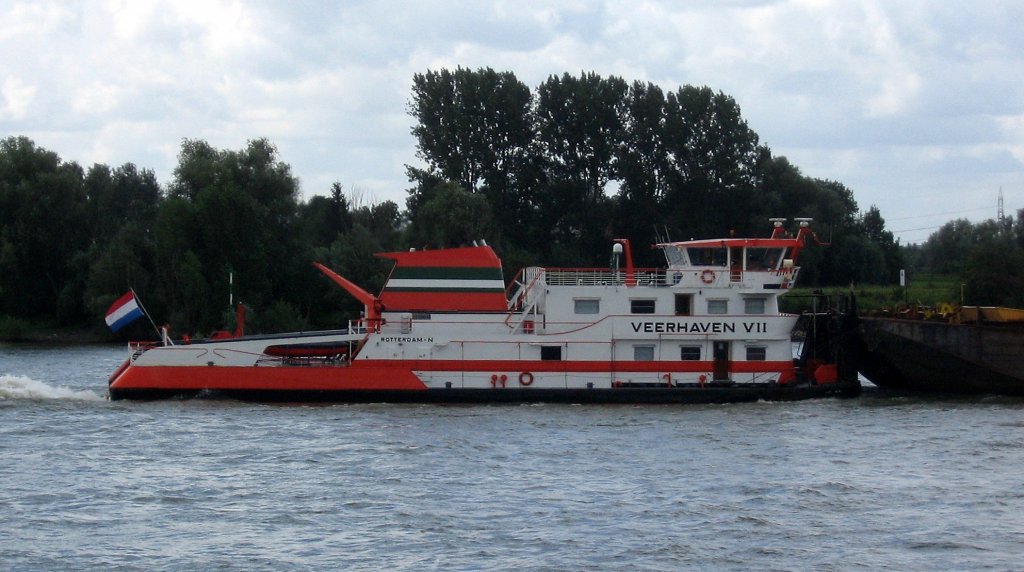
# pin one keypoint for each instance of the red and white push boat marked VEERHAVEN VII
(706, 329)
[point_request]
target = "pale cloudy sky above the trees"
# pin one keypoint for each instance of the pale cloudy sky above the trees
(918, 107)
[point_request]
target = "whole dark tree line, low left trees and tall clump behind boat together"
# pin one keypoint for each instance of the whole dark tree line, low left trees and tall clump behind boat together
(548, 177)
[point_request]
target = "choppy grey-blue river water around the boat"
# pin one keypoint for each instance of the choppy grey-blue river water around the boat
(872, 483)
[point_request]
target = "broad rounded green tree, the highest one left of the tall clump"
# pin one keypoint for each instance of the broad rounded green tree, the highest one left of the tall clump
(230, 215)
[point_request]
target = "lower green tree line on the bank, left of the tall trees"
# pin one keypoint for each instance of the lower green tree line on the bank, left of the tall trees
(231, 225)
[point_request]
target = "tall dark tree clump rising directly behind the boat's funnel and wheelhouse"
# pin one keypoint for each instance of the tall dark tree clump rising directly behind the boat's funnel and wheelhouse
(557, 172)
